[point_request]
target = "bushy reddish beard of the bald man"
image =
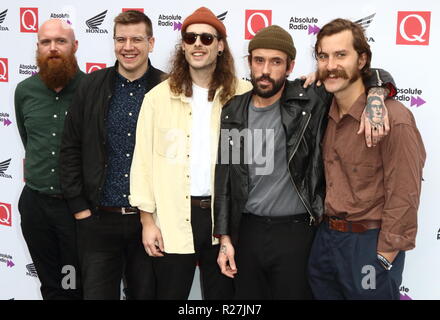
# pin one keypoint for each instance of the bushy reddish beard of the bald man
(57, 73)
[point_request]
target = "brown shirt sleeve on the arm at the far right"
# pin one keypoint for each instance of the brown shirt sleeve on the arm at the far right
(403, 158)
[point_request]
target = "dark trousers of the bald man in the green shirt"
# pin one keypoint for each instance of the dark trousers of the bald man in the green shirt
(49, 231)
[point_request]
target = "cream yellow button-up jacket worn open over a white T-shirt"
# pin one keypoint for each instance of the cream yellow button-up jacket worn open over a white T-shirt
(160, 171)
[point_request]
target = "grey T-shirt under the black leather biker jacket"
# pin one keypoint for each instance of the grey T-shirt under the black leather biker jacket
(271, 190)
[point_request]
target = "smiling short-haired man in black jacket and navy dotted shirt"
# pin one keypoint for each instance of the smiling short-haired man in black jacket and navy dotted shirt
(96, 154)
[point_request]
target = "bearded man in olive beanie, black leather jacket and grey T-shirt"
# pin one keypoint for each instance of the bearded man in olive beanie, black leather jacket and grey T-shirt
(269, 181)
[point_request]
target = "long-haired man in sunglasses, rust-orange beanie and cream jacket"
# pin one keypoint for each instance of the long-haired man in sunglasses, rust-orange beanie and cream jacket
(172, 174)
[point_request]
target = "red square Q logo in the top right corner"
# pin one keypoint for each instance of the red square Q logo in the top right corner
(413, 27)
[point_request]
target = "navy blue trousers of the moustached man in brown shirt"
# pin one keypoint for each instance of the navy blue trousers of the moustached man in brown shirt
(344, 265)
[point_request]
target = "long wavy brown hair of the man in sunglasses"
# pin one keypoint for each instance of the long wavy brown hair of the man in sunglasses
(223, 76)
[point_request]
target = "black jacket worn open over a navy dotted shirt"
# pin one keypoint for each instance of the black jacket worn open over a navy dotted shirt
(83, 156)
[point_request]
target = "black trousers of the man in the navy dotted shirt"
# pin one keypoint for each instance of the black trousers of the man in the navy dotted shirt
(110, 249)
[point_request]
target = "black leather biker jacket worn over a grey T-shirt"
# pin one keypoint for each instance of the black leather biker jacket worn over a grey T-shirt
(304, 114)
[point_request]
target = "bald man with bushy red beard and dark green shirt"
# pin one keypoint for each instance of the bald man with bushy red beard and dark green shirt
(41, 103)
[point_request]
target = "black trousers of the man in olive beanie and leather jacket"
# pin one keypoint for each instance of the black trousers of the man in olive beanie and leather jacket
(271, 258)
